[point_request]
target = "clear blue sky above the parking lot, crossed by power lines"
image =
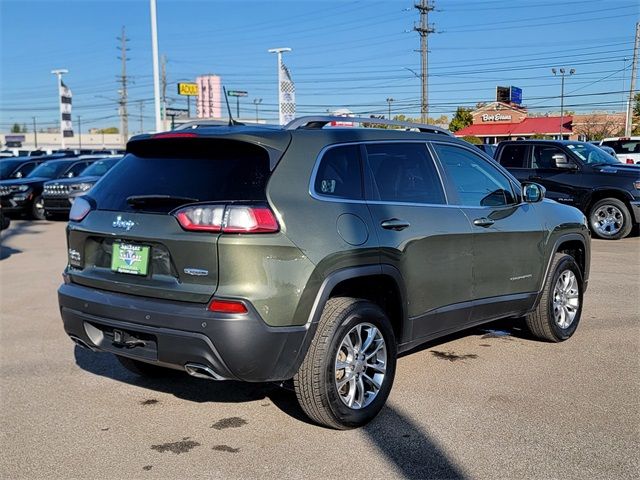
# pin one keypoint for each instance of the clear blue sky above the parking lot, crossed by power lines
(347, 53)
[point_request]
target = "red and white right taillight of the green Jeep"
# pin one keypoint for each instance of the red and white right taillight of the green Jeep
(227, 219)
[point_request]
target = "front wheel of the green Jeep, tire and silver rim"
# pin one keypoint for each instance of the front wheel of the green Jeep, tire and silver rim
(549, 322)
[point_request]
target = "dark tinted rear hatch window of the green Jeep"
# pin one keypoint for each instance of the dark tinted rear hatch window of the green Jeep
(192, 169)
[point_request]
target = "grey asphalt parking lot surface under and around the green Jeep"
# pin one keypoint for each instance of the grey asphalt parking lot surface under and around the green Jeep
(490, 403)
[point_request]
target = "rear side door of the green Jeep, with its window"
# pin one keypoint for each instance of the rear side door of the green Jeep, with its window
(426, 239)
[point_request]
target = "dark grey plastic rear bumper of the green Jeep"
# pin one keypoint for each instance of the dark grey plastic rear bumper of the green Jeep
(235, 347)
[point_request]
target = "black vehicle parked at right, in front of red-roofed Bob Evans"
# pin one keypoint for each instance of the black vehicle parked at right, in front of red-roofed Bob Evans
(581, 175)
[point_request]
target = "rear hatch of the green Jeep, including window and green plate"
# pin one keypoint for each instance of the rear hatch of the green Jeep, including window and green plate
(131, 241)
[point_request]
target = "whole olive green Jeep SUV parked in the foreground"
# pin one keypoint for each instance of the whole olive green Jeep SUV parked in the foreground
(314, 254)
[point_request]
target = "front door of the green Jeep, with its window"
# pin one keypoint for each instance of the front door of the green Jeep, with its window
(507, 234)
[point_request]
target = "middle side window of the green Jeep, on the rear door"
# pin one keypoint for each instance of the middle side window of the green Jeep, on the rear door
(404, 172)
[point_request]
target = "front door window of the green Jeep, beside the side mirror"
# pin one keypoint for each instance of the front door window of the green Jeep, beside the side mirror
(477, 182)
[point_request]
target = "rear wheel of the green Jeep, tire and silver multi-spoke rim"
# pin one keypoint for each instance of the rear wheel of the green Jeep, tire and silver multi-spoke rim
(316, 382)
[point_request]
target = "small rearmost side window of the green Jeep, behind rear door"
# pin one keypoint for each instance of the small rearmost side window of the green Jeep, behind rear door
(339, 174)
